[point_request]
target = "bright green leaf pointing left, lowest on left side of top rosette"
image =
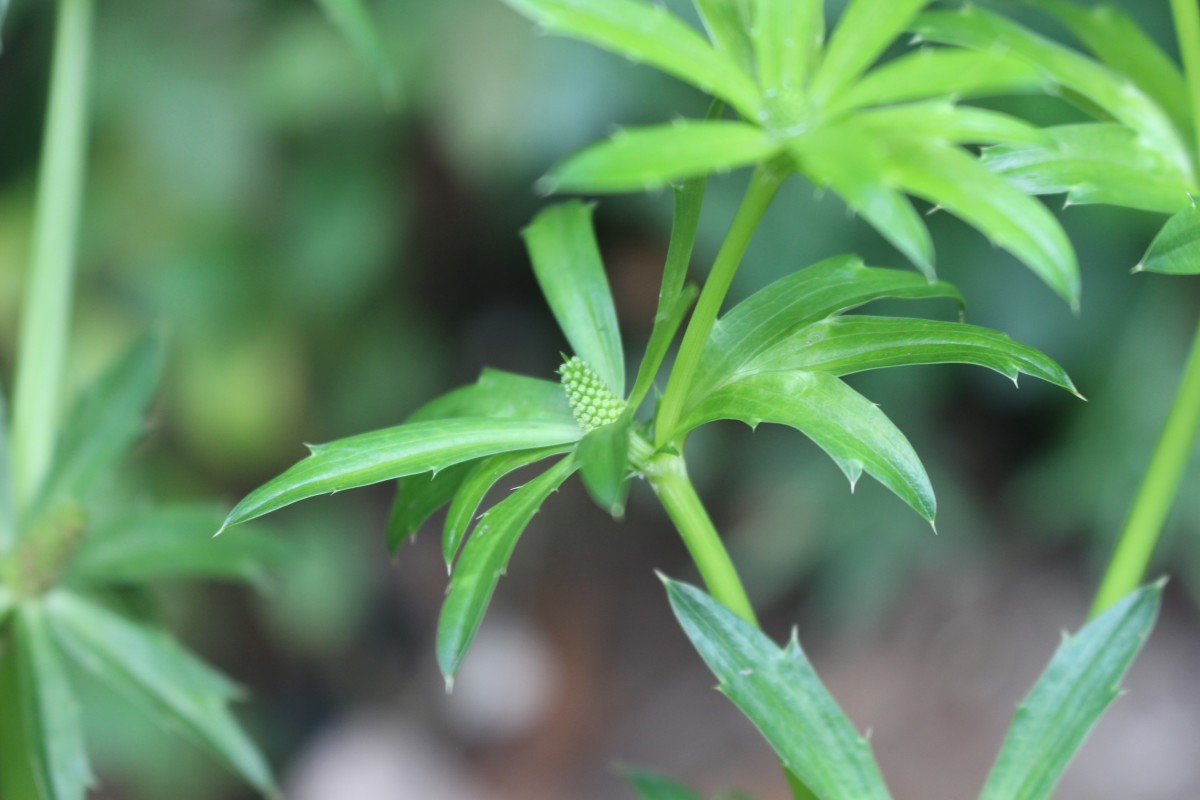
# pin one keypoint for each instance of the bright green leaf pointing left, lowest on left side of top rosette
(652, 158)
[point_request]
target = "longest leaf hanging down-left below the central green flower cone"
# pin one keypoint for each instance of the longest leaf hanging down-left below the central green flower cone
(484, 561)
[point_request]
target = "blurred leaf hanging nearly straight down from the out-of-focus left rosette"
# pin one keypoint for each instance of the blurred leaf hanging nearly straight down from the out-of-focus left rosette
(50, 711)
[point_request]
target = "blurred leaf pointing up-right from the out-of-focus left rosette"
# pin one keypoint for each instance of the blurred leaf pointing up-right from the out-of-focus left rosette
(106, 422)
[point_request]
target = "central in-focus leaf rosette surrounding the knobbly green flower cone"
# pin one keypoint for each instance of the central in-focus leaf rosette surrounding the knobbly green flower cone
(779, 357)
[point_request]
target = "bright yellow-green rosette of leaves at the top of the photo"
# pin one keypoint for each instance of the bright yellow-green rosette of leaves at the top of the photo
(818, 107)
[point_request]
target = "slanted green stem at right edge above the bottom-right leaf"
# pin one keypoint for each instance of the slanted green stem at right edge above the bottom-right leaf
(1157, 491)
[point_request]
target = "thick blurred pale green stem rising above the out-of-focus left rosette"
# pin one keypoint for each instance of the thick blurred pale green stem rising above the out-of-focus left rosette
(47, 303)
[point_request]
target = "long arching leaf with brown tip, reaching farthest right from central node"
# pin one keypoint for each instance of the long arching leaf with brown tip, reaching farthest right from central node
(842, 346)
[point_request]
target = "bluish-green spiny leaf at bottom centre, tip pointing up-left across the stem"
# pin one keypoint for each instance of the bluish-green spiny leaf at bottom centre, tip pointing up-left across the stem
(781, 694)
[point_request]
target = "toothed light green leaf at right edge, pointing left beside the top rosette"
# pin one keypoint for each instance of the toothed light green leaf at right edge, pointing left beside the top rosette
(1094, 163)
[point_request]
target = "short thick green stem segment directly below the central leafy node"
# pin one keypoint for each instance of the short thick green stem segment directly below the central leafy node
(669, 477)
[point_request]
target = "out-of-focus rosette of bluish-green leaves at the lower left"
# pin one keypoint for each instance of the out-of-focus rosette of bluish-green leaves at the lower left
(68, 562)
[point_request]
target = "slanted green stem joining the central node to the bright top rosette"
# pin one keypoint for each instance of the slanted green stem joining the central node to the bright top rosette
(764, 185)
